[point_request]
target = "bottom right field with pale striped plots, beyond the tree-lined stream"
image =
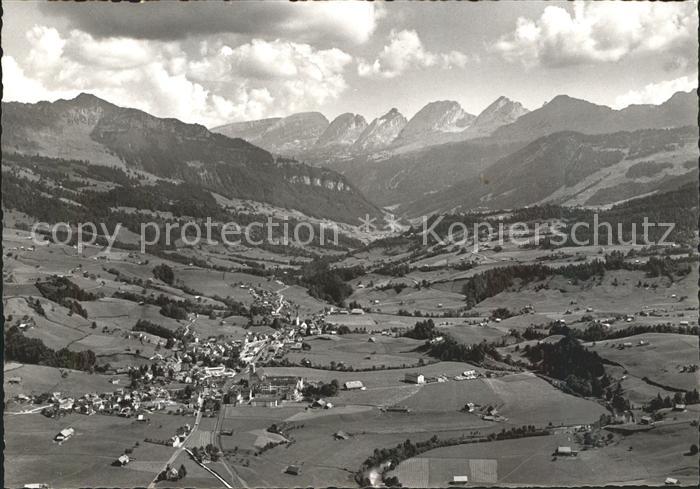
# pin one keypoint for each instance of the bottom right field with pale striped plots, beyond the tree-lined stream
(642, 458)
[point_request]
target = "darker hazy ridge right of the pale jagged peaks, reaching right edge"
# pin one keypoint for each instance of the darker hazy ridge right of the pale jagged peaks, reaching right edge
(565, 113)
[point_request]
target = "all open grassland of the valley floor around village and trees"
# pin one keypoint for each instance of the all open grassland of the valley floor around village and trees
(435, 409)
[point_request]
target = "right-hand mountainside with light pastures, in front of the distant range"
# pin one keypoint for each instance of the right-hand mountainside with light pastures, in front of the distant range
(576, 169)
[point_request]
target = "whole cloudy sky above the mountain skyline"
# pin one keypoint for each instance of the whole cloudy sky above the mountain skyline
(214, 63)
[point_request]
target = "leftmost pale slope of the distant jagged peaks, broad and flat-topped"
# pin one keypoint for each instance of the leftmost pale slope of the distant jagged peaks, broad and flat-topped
(287, 136)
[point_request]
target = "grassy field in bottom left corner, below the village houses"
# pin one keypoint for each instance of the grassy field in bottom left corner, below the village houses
(85, 459)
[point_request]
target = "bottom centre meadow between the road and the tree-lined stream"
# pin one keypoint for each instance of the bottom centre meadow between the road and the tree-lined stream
(325, 460)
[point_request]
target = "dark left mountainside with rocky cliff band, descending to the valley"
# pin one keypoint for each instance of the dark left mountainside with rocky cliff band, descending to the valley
(91, 129)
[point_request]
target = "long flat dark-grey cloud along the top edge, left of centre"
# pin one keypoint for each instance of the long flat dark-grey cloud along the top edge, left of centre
(304, 21)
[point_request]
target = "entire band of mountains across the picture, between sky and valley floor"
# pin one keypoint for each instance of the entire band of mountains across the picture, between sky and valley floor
(569, 151)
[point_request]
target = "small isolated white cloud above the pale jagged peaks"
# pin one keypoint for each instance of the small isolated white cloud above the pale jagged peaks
(404, 52)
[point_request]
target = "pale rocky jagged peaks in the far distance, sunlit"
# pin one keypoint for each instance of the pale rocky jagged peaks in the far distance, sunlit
(310, 136)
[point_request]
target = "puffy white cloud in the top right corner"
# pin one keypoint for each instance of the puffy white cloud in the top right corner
(601, 32)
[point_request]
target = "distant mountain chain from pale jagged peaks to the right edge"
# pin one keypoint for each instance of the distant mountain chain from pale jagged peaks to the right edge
(304, 135)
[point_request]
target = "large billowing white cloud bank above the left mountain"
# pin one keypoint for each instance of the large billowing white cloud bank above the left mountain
(214, 84)
